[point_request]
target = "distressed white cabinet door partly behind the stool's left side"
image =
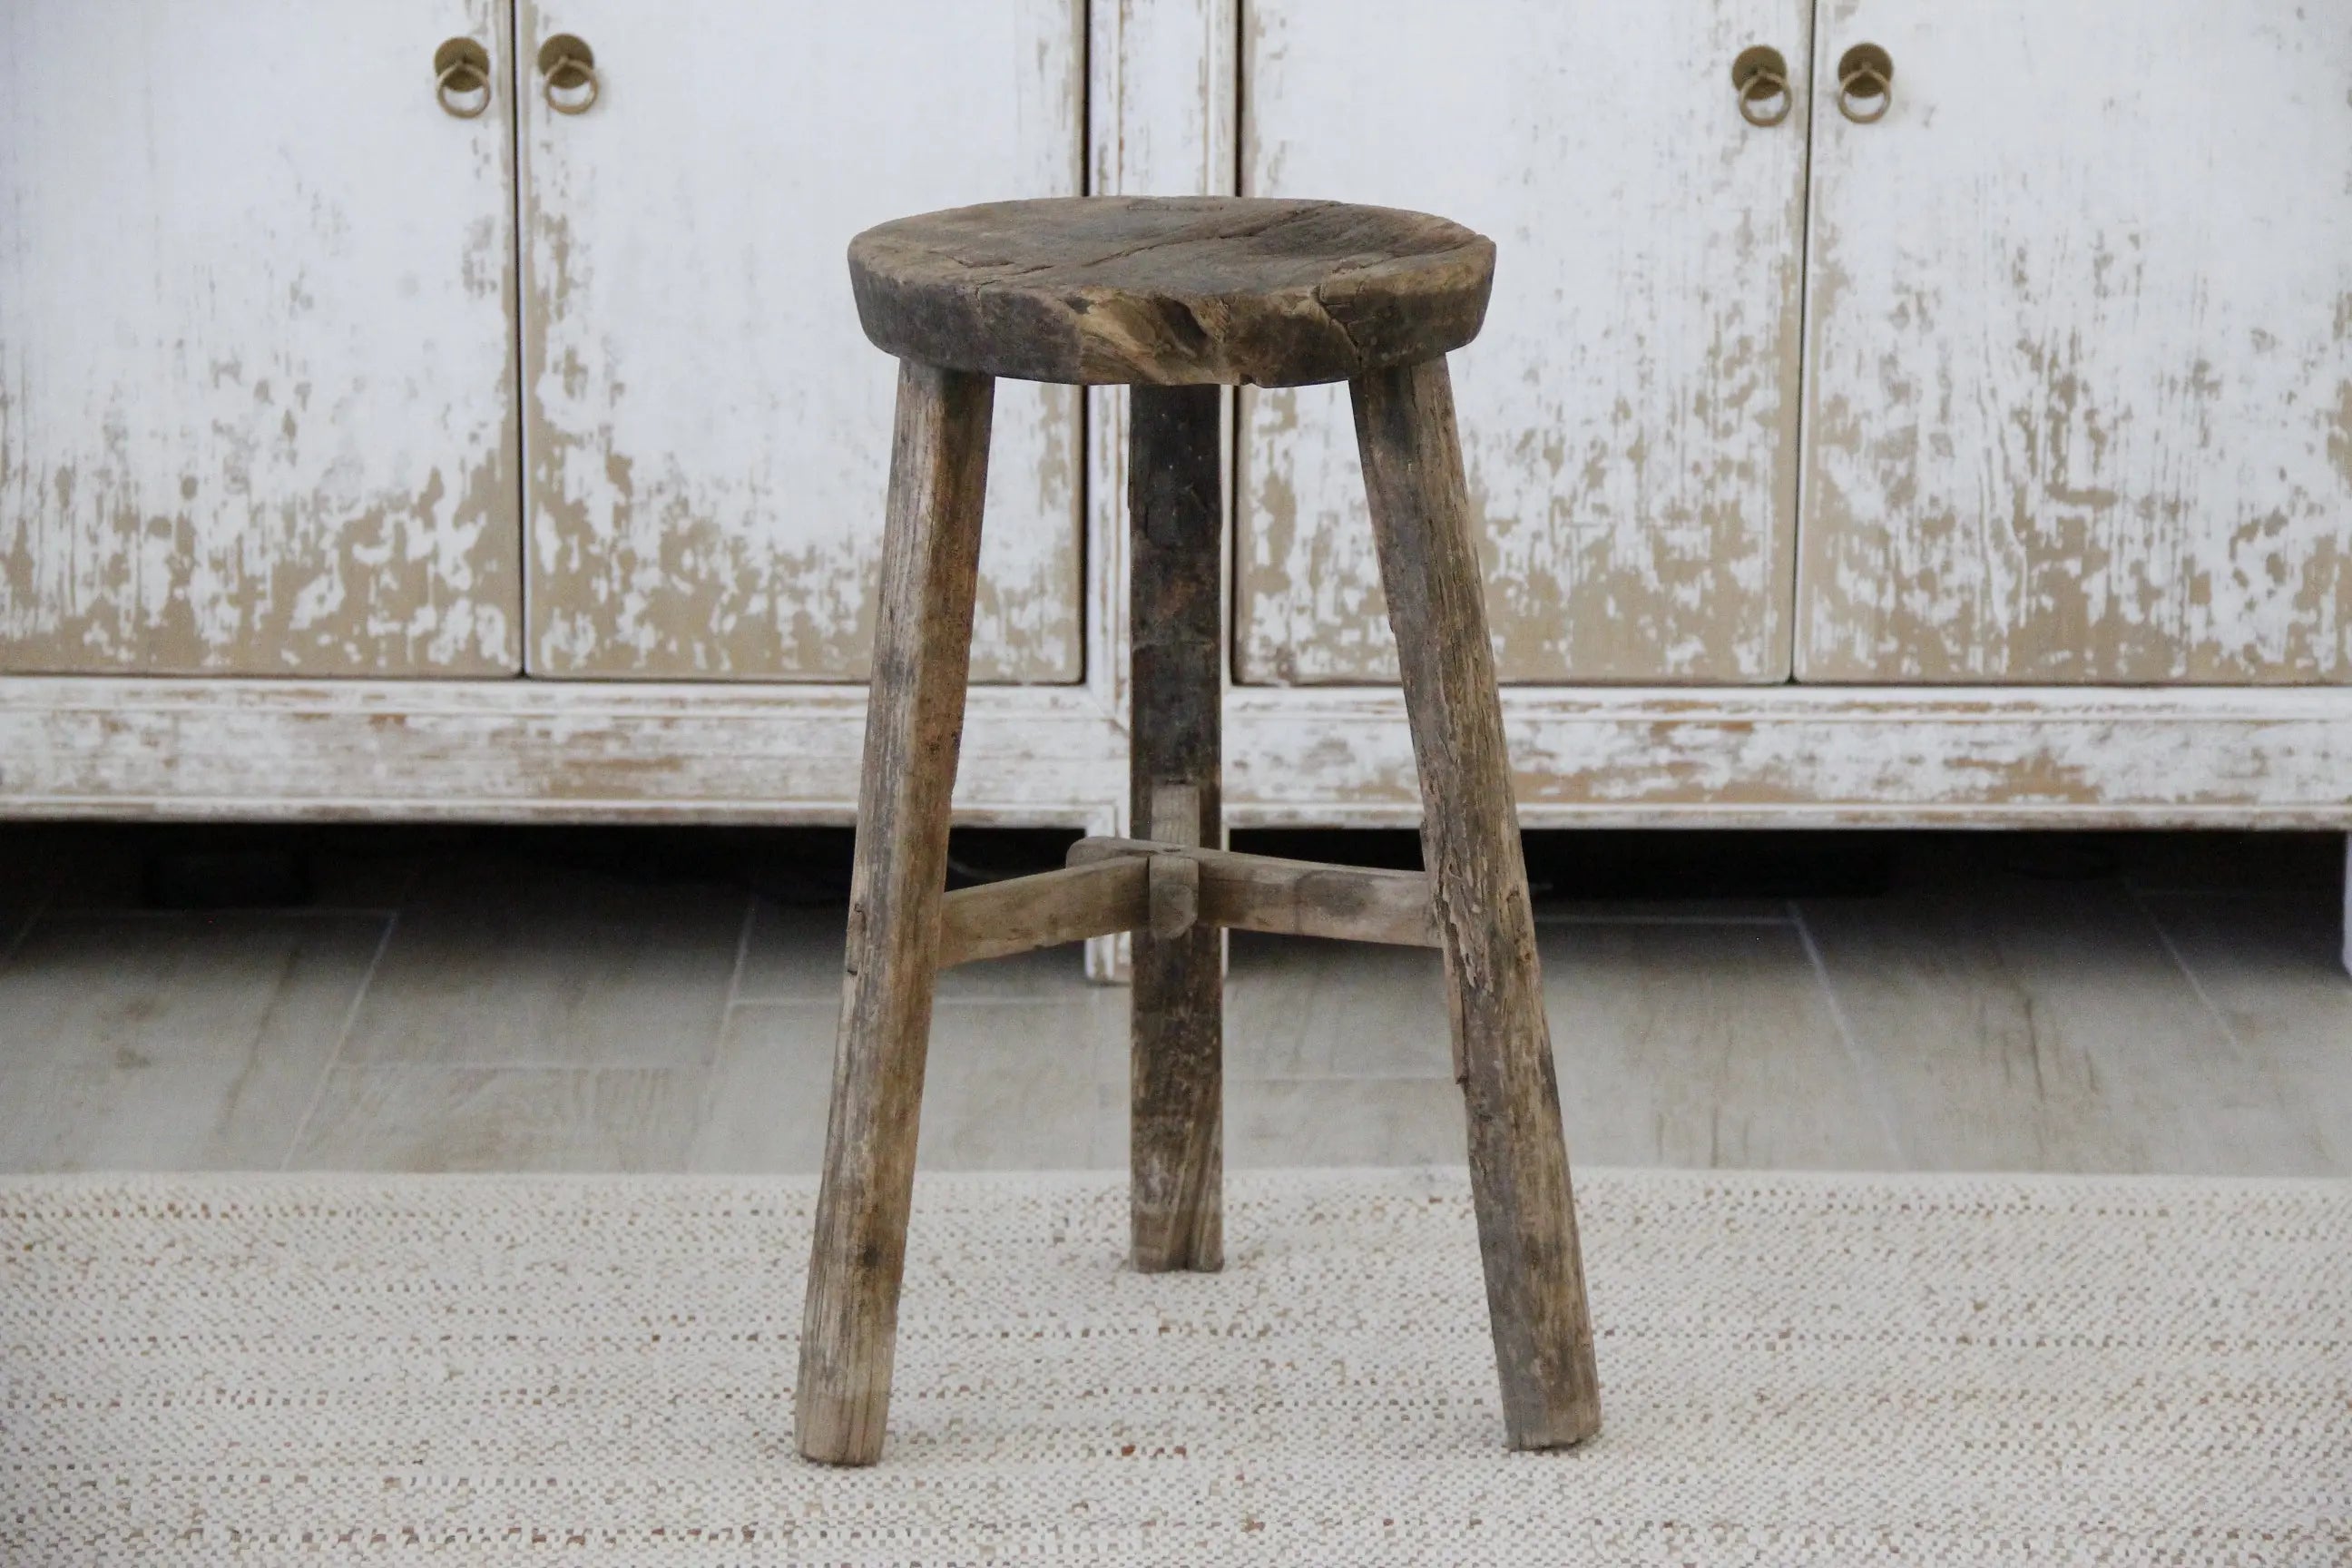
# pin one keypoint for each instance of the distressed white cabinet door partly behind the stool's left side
(709, 429)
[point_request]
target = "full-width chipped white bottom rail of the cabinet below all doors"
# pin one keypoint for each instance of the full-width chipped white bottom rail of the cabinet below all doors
(1666, 756)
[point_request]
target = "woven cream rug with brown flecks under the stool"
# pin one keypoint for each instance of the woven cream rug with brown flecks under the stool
(1798, 1369)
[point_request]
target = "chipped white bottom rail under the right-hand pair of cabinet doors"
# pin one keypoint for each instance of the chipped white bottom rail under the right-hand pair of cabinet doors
(1829, 756)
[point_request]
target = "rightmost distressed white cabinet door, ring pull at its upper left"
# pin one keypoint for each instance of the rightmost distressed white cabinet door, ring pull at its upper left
(2080, 366)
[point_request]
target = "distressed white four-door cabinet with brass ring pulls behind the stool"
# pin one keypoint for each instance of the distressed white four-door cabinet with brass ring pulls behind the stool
(1989, 464)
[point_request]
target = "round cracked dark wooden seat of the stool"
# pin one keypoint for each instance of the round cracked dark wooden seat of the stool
(1172, 290)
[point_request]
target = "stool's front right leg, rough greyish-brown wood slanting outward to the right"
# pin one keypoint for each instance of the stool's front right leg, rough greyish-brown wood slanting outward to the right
(1478, 880)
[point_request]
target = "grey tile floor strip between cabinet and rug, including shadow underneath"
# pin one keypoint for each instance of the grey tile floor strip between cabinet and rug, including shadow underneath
(580, 1003)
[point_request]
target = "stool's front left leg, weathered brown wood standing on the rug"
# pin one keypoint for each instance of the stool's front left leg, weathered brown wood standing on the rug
(914, 725)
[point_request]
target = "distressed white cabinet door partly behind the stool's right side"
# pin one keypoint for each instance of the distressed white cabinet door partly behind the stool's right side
(1629, 413)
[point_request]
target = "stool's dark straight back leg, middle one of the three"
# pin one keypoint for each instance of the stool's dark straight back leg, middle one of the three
(1177, 664)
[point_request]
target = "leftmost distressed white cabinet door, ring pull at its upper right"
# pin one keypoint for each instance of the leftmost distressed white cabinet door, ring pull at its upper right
(258, 319)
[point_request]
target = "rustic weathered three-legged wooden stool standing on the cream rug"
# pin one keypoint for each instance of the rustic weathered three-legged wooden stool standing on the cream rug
(1177, 300)
